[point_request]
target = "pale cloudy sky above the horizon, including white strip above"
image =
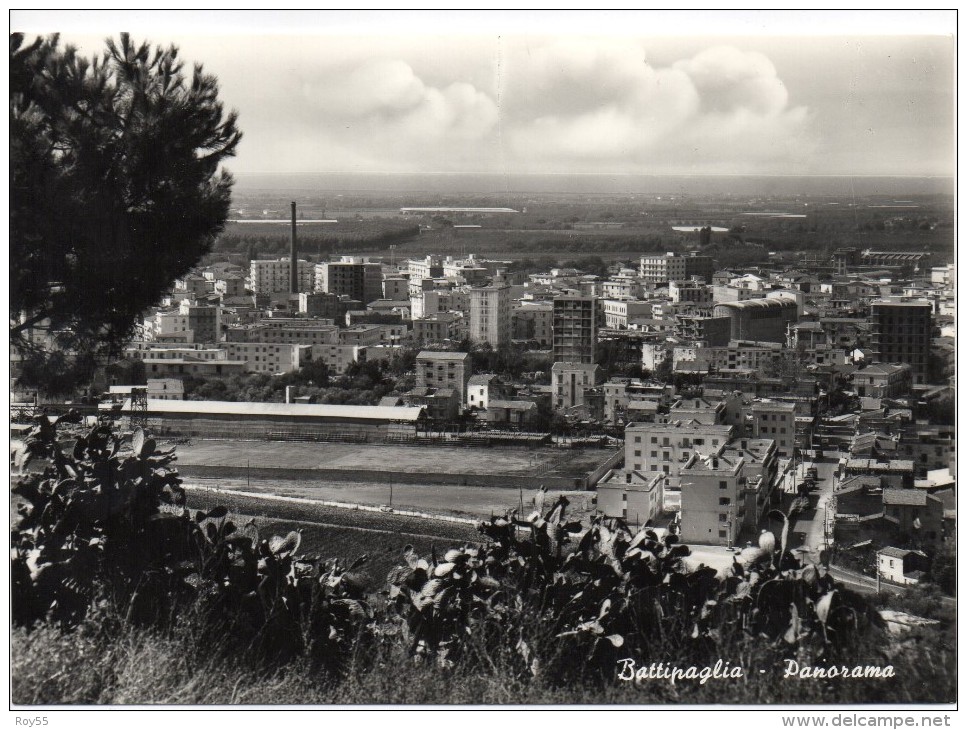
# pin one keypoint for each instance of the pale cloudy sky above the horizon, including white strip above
(743, 93)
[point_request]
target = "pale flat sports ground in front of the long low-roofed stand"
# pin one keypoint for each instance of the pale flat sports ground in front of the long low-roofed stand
(456, 460)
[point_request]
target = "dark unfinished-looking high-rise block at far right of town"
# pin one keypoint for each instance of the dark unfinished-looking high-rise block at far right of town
(901, 332)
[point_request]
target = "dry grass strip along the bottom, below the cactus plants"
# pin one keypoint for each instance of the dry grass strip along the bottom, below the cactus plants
(128, 666)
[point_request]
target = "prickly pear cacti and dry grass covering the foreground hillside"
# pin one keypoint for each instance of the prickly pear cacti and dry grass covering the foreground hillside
(108, 561)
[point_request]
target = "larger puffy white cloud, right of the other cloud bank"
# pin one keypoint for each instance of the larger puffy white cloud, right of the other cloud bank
(611, 107)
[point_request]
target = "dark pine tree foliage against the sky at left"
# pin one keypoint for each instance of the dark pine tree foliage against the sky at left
(115, 190)
